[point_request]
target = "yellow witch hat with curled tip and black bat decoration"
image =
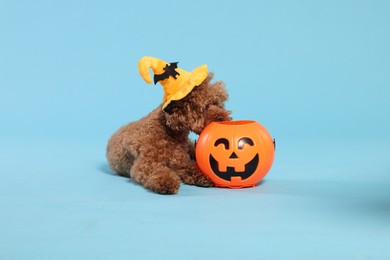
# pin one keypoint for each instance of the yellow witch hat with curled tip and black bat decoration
(177, 83)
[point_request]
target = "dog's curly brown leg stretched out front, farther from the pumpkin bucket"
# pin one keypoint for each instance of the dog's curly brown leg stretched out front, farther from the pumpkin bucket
(155, 177)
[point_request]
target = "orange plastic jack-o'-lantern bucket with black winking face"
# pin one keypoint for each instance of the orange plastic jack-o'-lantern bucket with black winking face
(235, 154)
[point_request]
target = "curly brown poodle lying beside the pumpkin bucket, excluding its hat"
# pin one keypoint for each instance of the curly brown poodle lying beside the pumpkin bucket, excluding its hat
(156, 151)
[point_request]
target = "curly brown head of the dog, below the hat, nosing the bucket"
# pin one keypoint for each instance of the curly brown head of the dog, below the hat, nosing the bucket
(205, 104)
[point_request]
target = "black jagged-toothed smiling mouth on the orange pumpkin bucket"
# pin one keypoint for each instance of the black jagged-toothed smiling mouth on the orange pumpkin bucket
(230, 172)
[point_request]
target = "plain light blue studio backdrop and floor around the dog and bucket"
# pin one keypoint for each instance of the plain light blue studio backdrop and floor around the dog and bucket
(315, 74)
